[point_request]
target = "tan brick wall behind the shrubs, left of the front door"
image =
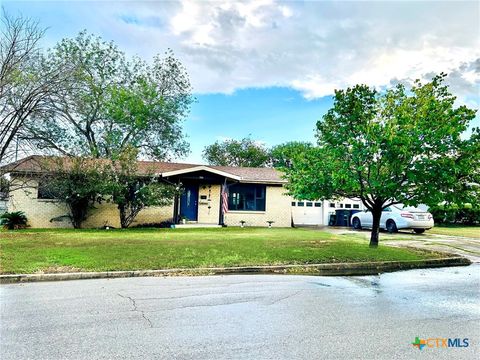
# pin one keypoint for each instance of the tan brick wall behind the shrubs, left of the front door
(41, 212)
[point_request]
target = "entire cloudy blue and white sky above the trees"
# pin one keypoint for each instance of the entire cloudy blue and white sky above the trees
(268, 69)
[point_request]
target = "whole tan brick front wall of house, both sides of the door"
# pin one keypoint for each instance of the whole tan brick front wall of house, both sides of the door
(40, 213)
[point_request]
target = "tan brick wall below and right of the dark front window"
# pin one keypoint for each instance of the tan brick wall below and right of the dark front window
(277, 209)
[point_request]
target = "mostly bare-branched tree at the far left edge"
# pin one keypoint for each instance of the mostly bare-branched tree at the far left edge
(25, 84)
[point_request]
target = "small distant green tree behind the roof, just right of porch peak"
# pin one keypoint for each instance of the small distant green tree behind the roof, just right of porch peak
(245, 152)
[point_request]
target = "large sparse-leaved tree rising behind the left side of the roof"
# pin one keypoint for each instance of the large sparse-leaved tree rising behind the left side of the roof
(113, 102)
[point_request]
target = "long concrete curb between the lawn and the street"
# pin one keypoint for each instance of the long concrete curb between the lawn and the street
(343, 269)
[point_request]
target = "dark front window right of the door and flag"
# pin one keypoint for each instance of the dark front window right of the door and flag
(246, 197)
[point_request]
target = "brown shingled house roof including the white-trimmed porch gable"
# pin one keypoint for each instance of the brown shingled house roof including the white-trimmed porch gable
(38, 164)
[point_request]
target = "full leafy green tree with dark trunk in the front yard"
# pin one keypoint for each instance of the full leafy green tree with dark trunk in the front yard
(395, 147)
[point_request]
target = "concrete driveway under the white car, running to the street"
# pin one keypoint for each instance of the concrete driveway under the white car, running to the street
(463, 246)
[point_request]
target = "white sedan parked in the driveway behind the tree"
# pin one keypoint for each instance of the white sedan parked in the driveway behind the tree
(394, 218)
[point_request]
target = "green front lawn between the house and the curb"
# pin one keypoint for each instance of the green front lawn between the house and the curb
(30, 251)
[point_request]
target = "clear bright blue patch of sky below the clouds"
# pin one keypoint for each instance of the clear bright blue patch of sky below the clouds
(270, 115)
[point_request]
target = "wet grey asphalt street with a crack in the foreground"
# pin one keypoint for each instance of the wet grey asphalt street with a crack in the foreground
(244, 317)
